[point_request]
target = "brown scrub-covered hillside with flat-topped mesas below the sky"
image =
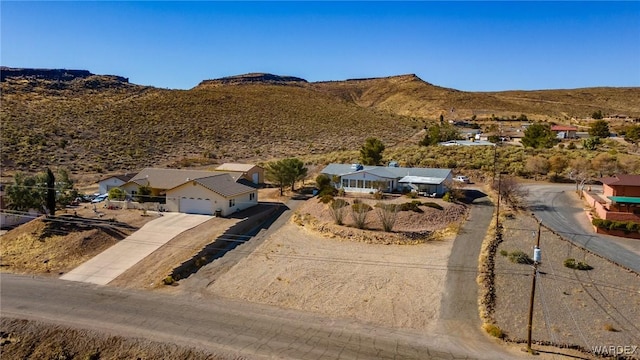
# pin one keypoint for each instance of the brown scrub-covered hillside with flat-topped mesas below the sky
(105, 124)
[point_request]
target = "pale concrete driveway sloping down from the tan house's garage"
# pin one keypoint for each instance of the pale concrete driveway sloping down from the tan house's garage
(112, 262)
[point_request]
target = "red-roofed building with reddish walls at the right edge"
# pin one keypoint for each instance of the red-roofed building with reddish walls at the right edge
(620, 200)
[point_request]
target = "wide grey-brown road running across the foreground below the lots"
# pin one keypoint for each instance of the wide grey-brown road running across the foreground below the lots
(222, 326)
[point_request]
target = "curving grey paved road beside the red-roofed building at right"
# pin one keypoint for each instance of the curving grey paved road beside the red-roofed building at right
(558, 209)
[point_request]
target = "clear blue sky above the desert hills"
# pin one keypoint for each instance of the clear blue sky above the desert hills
(473, 46)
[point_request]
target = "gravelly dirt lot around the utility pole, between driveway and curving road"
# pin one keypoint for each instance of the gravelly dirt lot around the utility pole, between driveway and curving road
(582, 308)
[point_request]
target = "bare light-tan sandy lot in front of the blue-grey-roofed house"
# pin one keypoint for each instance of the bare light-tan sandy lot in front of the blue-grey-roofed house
(300, 268)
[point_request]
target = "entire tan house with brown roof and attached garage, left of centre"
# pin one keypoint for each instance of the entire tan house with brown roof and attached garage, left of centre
(195, 191)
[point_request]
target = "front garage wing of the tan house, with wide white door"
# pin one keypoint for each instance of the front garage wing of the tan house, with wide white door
(217, 194)
